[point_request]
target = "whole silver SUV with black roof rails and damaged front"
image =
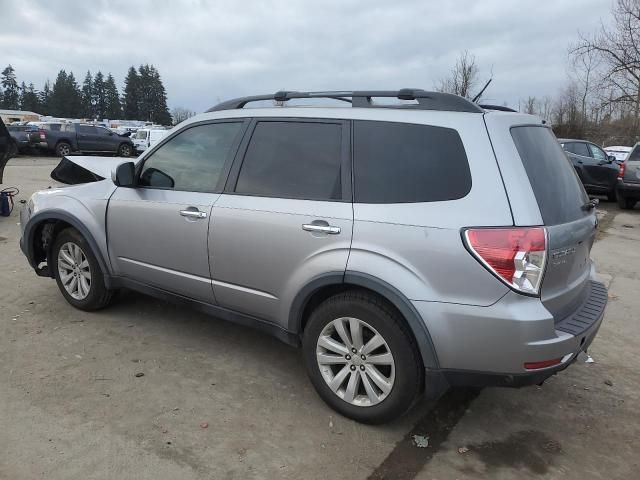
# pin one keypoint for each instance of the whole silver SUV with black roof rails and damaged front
(404, 246)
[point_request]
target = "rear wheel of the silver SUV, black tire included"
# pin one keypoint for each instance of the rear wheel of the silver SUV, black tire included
(405, 376)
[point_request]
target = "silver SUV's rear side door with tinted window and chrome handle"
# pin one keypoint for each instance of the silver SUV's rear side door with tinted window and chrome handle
(285, 217)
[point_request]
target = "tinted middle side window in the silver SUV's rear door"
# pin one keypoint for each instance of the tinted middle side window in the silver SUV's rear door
(299, 160)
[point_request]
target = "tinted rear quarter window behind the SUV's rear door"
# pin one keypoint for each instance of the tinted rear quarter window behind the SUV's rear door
(407, 163)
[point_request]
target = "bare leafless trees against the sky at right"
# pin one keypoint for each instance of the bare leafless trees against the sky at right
(600, 101)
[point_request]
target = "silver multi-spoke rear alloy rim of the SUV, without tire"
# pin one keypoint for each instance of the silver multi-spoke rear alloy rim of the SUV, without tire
(355, 361)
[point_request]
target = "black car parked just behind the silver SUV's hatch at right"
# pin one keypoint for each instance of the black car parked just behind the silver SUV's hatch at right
(598, 171)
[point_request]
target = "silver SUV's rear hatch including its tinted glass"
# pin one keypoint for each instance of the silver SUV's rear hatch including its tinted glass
(570, 223)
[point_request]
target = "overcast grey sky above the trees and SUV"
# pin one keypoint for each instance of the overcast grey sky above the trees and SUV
(208, 51)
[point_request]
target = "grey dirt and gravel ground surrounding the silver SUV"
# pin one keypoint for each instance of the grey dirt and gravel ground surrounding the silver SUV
(220, 401)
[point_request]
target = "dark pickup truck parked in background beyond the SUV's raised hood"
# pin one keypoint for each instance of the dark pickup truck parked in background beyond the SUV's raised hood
(65, 138)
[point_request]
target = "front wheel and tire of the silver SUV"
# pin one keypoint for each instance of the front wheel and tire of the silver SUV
(88, 293)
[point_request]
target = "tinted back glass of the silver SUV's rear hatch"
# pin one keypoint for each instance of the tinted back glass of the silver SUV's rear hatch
(558, 190)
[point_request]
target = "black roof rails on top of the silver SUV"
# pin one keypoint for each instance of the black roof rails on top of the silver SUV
(363, 99)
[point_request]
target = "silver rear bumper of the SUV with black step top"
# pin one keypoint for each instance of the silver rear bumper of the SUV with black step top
(480, 346)
